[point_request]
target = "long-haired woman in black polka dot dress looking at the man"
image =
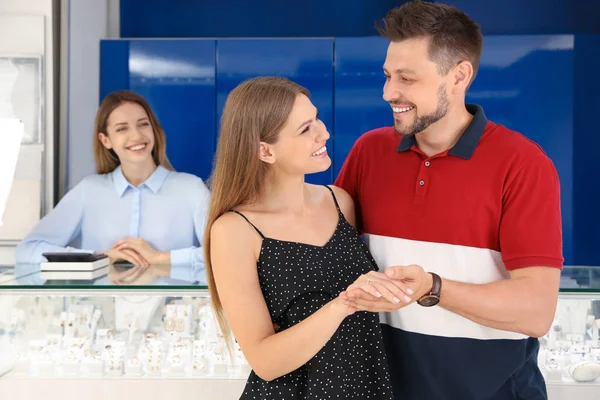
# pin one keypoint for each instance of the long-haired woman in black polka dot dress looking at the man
(281, 252)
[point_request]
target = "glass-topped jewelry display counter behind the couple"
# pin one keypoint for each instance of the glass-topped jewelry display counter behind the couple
(152, 333)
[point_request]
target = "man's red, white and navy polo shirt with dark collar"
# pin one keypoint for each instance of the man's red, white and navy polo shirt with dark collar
(489, 205)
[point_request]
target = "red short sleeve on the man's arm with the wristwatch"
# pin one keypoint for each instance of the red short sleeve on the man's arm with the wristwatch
(530, 229)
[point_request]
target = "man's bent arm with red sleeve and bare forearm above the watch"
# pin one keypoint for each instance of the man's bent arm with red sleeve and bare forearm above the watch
(530, 239)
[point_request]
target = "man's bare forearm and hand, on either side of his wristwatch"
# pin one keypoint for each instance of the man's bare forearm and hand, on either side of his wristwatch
(525, 303)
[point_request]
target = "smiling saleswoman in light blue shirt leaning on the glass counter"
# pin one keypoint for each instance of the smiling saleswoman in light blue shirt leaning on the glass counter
(136, 208)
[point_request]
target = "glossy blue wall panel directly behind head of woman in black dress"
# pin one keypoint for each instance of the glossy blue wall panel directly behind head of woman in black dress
(308, 62)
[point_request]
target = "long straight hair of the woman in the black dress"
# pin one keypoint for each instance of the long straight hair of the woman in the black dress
(254, 112)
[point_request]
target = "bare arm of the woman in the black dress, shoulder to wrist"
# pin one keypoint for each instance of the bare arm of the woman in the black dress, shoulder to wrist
(233, 257)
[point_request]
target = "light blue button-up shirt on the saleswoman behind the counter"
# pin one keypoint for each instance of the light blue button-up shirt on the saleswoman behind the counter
(168, 211)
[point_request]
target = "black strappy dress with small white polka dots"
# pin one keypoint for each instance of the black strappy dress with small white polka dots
(297, 279)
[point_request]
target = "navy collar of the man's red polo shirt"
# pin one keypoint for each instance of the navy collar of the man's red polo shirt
(465, 147)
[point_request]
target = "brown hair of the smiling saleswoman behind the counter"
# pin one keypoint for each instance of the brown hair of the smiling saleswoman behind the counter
(107, 160)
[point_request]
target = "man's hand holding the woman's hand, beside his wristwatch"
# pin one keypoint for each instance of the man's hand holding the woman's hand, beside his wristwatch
(412, 278)
